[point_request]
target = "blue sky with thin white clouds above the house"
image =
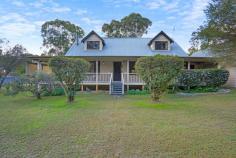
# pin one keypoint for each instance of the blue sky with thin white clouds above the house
(21, 20)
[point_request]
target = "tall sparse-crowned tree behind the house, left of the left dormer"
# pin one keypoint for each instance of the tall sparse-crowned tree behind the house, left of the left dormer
(59, 35)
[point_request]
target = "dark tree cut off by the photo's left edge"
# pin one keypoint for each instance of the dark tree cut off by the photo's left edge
(10, 59)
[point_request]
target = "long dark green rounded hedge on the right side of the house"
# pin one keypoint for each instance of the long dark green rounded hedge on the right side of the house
(202, 78)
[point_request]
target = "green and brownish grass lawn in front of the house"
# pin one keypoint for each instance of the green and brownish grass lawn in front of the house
(99, 125)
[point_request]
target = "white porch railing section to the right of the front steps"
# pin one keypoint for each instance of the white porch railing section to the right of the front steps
(132, 78)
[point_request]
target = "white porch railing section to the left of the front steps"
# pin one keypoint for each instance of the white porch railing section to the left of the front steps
(97, 78)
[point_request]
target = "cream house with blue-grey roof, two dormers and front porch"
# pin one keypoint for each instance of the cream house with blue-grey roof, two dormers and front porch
(113, 60)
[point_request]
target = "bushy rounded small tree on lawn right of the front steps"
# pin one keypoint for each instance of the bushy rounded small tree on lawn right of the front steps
(158, 72)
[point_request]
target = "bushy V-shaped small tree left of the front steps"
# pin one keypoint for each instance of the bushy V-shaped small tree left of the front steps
(70, 72)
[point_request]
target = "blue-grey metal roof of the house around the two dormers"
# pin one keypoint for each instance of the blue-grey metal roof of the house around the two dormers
(124, 47)
